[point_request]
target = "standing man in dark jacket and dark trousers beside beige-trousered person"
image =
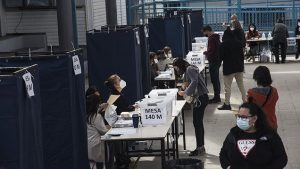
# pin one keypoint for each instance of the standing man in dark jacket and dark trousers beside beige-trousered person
(212, 55)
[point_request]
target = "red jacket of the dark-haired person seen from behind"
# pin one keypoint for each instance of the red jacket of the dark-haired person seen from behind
(259, 96)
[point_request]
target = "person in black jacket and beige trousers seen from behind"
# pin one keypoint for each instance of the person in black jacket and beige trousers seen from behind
(232, 55)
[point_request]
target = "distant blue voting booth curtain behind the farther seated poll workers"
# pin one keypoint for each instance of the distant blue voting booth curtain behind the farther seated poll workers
(167, 32)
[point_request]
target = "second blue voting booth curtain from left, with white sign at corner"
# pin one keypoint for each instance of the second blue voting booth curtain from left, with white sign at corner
(63, 110)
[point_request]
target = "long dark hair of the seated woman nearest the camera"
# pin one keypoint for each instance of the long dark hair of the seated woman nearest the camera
(92, 104)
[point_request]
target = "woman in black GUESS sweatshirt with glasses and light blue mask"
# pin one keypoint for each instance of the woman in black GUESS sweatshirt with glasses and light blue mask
(252, 144)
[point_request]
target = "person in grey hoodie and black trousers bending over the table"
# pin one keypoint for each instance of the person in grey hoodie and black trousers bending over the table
(196, 88)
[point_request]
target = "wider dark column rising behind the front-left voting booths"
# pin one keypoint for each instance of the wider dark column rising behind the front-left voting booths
(67, 24)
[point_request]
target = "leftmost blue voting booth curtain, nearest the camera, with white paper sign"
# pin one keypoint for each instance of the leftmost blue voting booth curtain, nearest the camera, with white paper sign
(20, 120)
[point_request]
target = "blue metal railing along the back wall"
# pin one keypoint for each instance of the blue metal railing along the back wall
(263, 13)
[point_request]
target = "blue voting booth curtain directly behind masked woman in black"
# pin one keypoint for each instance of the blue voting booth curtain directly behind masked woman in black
(116, 52)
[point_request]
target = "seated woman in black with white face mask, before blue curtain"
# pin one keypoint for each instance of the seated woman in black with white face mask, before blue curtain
(116, 85)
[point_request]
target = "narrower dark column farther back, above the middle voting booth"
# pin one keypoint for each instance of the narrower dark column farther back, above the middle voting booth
(111, 12)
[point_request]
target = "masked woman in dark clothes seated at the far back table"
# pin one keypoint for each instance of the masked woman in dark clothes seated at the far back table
(251, 34)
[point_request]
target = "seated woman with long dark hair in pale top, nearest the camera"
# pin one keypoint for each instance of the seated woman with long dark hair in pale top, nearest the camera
(95, 126)
